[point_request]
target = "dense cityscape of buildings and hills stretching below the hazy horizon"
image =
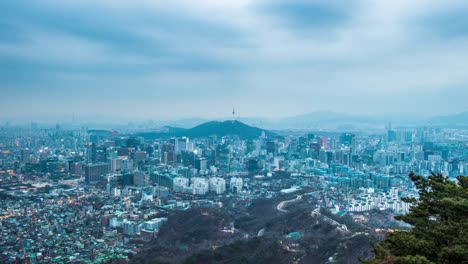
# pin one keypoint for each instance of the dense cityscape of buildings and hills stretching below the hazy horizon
(90, 195)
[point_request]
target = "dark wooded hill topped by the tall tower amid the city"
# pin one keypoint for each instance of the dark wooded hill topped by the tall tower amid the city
(218, 128)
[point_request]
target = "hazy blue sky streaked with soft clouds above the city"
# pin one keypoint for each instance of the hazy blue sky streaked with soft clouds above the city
(171, 59)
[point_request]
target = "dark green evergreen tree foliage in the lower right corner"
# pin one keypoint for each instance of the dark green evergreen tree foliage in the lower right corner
(440, 225)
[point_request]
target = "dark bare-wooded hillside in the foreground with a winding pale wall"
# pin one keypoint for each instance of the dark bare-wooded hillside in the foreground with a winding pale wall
(260, 234)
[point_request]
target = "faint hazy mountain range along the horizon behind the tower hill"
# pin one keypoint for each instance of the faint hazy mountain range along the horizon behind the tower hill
(325, 120)
